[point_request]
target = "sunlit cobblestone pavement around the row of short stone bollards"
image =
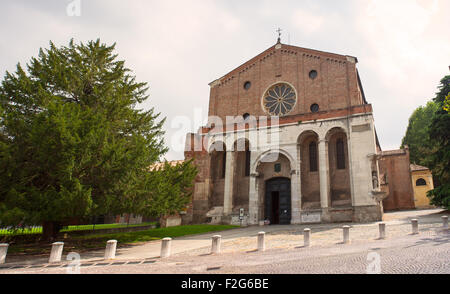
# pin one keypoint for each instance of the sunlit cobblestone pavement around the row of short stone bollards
(400, 252)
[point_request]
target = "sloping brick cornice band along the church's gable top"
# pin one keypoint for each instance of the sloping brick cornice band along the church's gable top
(289, 48)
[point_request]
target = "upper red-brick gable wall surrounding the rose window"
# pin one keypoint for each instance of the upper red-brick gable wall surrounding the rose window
(335, 86)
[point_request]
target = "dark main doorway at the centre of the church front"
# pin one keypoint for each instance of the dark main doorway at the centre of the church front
(278, 201)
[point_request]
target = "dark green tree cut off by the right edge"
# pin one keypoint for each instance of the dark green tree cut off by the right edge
(440, 137)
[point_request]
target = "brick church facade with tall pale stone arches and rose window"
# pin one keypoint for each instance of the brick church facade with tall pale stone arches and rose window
(301, 146)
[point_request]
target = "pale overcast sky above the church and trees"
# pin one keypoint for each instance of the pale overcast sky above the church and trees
(178, 47)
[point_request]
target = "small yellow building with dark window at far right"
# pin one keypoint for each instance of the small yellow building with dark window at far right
(422, 182)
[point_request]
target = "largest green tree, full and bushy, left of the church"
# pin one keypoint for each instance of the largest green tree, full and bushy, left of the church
(72, 141)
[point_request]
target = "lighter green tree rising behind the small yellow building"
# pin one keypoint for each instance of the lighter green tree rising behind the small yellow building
(417, 134)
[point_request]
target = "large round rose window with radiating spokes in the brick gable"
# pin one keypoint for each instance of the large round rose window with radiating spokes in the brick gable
(279, 100)
